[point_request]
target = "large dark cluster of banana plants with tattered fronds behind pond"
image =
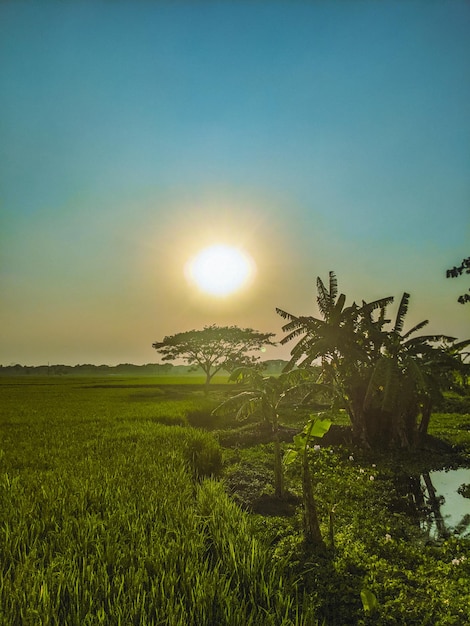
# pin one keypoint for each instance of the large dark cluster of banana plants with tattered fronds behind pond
(388, 380)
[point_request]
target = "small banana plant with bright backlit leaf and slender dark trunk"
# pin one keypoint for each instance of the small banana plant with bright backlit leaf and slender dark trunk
(315, 427)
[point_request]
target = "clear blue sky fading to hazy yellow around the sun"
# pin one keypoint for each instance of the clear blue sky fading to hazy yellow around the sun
(315, 136)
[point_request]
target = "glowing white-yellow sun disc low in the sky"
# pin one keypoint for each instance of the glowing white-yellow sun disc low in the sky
(220, 270)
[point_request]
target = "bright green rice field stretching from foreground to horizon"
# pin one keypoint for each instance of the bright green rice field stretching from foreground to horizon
(111, 513)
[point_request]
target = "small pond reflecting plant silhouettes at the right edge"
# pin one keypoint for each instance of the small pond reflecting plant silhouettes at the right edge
(436, 501)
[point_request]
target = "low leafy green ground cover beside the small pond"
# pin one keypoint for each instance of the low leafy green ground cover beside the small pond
(378, 548)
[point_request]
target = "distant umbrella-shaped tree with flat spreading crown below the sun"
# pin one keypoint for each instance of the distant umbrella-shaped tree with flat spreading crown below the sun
(214, 348)
